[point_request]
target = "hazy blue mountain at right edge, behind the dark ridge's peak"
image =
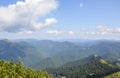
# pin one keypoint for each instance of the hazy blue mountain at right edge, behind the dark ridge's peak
(105, 47)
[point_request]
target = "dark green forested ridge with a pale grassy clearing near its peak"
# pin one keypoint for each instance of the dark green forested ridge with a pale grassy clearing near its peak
(96, 68)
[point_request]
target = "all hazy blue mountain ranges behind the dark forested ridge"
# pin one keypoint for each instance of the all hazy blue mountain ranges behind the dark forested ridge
(48, 53)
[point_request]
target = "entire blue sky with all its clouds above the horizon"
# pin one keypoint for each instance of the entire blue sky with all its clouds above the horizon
(60, 19)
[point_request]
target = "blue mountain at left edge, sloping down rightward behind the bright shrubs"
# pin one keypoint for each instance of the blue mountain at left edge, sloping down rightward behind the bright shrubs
(20, 51)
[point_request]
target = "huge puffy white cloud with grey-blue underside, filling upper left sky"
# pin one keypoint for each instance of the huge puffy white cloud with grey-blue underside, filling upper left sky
(24, 16)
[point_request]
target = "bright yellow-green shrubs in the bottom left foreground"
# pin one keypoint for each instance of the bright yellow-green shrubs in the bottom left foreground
(11, 70)
